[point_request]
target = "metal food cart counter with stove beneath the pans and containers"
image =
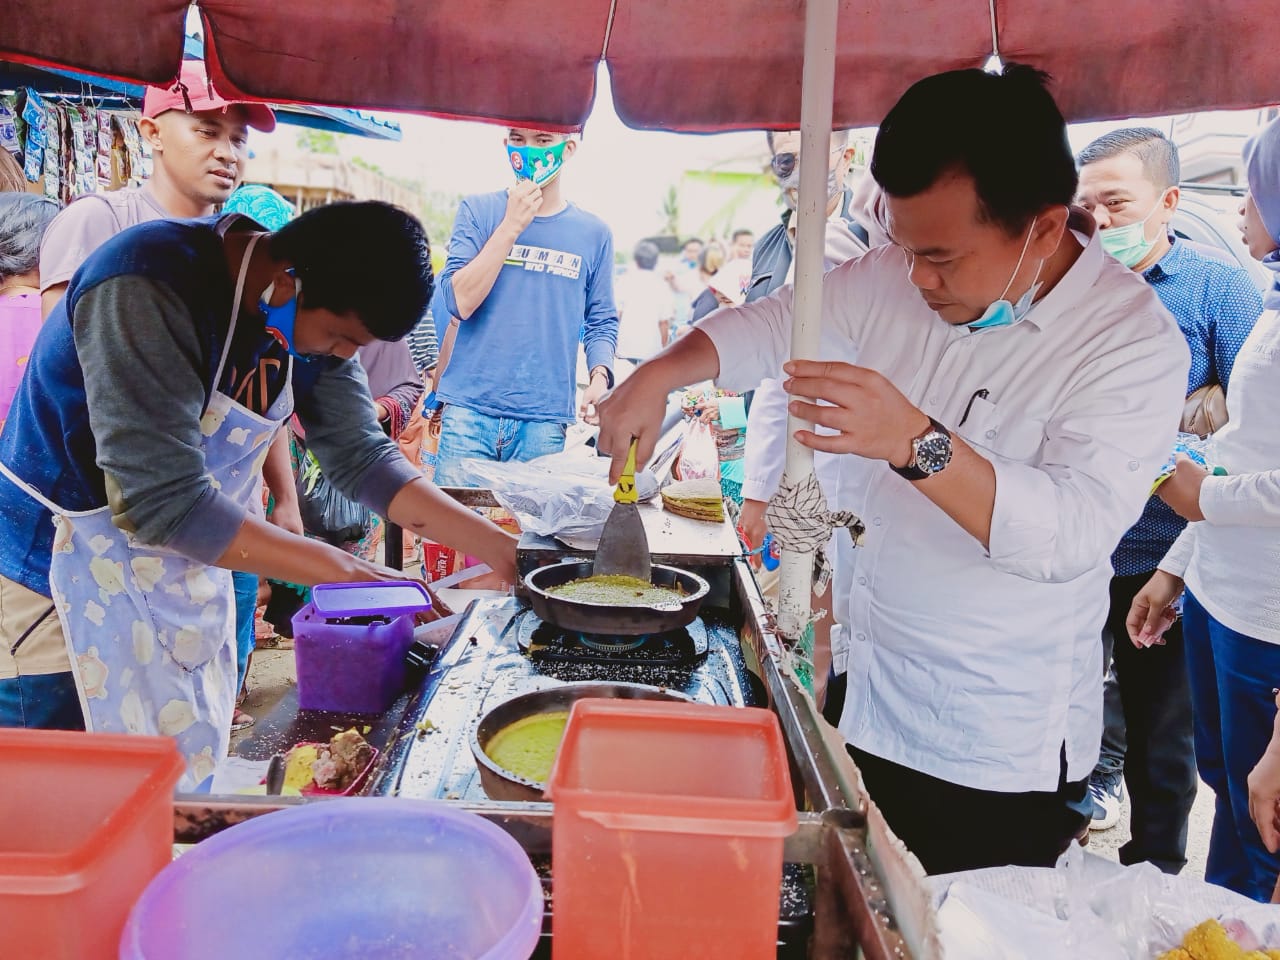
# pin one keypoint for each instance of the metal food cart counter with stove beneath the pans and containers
(501, 651)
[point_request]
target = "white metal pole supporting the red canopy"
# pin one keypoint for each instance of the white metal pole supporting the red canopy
(816, 108)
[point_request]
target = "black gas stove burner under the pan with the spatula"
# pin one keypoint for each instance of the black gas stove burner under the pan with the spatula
(543, 641)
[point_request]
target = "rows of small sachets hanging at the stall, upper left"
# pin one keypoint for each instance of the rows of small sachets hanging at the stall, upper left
(72, 149)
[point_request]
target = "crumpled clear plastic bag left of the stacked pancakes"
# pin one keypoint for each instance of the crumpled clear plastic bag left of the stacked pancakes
(563, 495)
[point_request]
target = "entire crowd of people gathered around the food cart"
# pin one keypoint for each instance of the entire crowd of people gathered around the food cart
(1014, 341)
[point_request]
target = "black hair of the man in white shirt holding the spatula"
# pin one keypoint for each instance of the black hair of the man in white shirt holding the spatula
(1003, 130)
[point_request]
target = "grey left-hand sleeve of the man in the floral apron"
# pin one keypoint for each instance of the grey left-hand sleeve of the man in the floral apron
(145, 388)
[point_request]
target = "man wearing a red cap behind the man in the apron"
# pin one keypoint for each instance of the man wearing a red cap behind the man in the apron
(199, 143)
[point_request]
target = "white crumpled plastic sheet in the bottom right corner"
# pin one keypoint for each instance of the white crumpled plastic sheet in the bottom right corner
(1087, 907)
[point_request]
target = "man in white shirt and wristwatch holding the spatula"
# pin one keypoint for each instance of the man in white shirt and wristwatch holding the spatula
(1009, 397)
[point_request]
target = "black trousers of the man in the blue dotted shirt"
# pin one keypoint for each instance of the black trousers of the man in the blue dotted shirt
(1148, 732)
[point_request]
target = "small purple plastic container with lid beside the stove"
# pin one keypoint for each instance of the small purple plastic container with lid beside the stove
(355, 668)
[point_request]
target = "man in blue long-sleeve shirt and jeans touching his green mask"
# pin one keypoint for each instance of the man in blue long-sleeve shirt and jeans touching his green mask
(529, 277)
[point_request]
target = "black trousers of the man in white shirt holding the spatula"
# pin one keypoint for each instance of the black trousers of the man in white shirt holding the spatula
(952, 828)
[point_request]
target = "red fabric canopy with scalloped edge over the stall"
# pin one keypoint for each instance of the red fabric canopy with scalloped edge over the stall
(734, 65)
